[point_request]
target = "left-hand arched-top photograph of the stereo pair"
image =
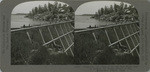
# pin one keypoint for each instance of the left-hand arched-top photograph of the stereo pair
(42, 33)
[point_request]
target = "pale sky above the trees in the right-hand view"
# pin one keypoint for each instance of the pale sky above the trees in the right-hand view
(92, 7)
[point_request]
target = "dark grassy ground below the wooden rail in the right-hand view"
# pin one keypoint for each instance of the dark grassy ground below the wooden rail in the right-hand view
(88, 51)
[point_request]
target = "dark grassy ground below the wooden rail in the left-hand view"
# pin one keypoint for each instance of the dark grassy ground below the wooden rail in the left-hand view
(25, 52)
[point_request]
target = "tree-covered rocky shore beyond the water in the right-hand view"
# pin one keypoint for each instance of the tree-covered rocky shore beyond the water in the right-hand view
(117, 13)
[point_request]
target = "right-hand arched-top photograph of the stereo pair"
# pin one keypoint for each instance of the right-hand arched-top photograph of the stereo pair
(106, 33)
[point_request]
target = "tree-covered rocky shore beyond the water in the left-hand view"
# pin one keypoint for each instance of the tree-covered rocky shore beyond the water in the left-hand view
(52, 12)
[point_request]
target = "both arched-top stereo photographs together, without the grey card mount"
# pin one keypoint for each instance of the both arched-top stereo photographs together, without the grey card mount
(52, 33)
